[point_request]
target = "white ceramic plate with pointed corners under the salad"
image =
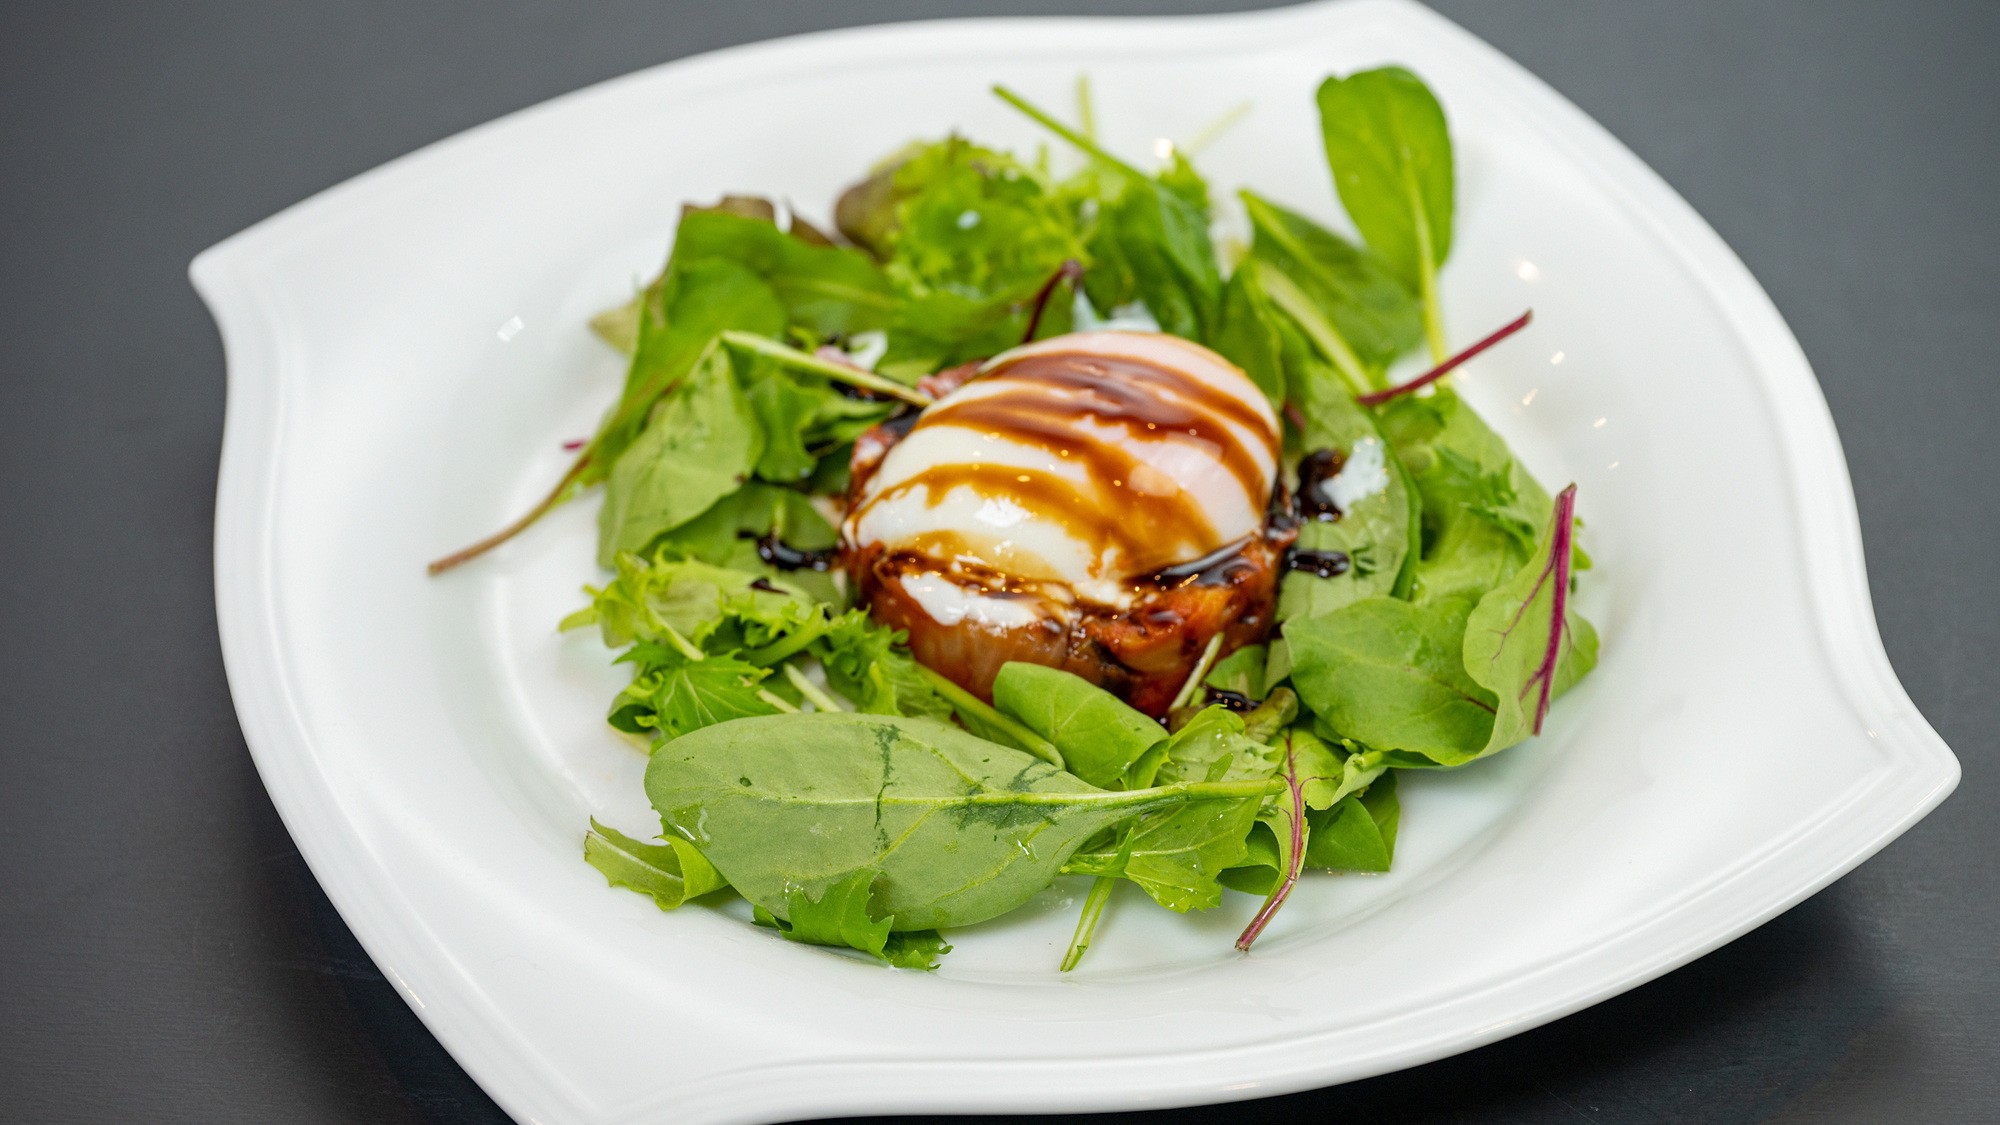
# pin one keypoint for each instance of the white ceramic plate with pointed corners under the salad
(409, 351)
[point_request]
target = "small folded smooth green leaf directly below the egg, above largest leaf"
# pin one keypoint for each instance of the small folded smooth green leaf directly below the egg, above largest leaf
(1095, 732)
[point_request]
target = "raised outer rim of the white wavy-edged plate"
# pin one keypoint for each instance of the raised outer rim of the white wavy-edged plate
(259, 359)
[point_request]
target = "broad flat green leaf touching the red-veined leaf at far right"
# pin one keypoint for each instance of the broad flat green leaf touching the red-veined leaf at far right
(1391, 674)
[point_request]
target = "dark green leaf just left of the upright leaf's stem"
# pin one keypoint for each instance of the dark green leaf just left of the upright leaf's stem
(1375, 315)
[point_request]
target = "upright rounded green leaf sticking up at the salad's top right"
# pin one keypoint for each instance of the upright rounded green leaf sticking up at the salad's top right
(1393, 167)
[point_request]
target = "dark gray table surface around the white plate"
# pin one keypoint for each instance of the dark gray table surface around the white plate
(165, 956)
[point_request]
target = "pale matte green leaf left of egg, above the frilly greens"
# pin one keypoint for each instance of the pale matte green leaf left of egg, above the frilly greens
(701, 445)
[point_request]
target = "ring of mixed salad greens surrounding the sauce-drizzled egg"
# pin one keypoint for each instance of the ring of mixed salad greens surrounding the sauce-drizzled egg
(803, 760)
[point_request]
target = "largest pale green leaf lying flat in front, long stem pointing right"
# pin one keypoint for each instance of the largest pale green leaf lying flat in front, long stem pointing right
(961, 830)
